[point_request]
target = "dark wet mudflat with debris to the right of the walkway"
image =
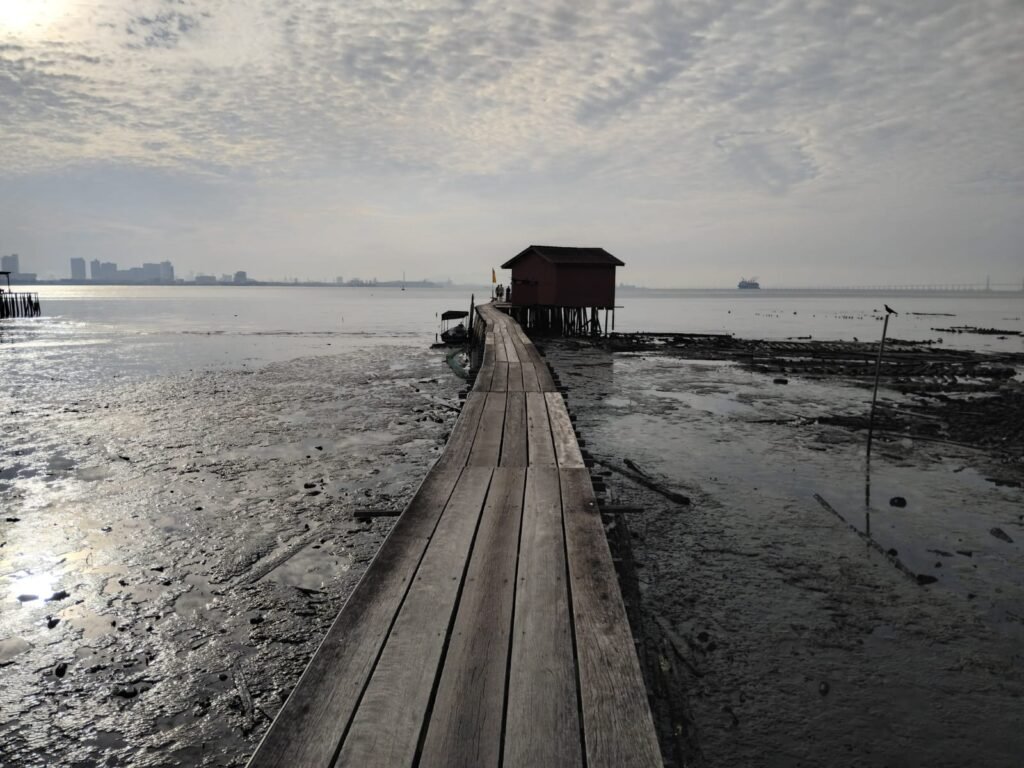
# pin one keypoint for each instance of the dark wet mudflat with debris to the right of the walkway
(801, 611)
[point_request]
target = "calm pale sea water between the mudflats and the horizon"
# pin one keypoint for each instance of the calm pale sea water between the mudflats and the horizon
(94, 333)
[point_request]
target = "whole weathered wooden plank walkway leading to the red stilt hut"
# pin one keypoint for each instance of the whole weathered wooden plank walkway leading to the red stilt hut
(490, 629)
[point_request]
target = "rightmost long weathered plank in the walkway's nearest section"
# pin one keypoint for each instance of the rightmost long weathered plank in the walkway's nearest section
(618, 727)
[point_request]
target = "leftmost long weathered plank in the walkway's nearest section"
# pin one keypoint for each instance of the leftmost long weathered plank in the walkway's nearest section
(311, 726)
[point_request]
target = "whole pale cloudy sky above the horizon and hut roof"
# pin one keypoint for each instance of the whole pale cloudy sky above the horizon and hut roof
(806, 143)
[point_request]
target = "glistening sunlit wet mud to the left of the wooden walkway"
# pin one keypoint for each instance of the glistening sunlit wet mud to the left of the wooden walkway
(175, 549)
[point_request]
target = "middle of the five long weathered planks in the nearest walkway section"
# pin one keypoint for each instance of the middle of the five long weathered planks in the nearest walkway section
(465, 729)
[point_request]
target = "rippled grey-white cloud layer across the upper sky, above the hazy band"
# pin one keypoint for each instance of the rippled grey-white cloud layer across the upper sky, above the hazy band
(804, 101)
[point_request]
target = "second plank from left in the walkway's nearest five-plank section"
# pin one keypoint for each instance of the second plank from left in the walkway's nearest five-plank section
(392, 716)
